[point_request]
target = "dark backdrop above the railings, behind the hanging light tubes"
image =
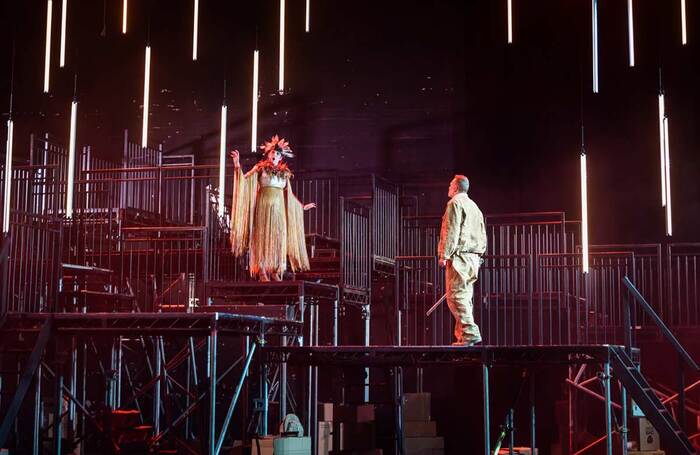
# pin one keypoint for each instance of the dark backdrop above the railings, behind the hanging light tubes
(415, 90)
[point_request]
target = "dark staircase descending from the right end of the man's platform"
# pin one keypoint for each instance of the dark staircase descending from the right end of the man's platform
(627, 373)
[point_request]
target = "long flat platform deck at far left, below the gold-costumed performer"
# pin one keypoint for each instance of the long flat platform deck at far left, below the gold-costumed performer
(189, 324)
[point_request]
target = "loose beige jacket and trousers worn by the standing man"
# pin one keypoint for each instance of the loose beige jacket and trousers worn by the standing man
(462, 243)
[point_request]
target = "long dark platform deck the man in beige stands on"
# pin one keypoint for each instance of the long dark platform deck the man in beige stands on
(383, 356)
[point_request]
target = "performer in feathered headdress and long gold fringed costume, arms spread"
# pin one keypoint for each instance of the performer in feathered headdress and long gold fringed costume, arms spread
(266, 218)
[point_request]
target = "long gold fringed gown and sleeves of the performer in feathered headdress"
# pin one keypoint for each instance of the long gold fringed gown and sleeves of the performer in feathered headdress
(260, 225)
